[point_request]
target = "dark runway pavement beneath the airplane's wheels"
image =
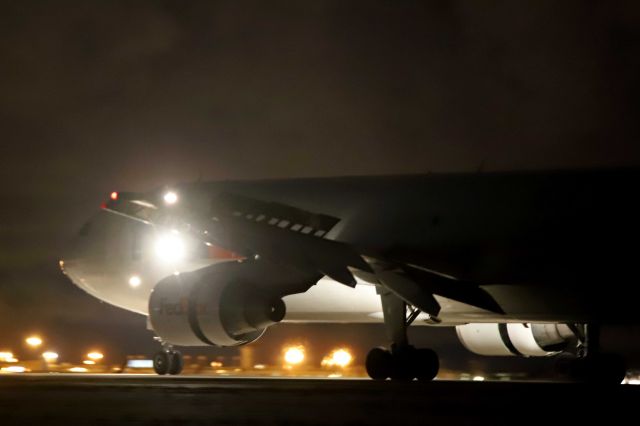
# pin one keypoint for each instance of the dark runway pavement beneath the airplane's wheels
(129, 399)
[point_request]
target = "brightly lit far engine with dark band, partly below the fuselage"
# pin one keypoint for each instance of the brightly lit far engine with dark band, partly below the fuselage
(513, 339)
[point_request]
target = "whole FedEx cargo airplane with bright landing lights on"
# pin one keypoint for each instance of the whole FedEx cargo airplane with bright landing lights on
(527, 264)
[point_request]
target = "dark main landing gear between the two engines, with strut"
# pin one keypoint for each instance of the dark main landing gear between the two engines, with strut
(402, 361)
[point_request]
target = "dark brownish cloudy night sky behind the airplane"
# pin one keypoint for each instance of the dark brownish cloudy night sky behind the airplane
(104, 95)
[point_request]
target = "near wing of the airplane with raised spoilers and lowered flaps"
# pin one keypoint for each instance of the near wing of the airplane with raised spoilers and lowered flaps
(287, 235)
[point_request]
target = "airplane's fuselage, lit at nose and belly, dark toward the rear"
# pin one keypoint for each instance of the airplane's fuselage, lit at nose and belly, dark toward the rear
(544, 245)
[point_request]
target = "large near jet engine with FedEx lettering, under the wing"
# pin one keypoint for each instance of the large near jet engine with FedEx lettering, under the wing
(215, 306)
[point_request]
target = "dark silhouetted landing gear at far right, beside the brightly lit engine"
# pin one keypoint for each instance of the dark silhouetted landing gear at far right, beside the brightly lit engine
(590, 365)
